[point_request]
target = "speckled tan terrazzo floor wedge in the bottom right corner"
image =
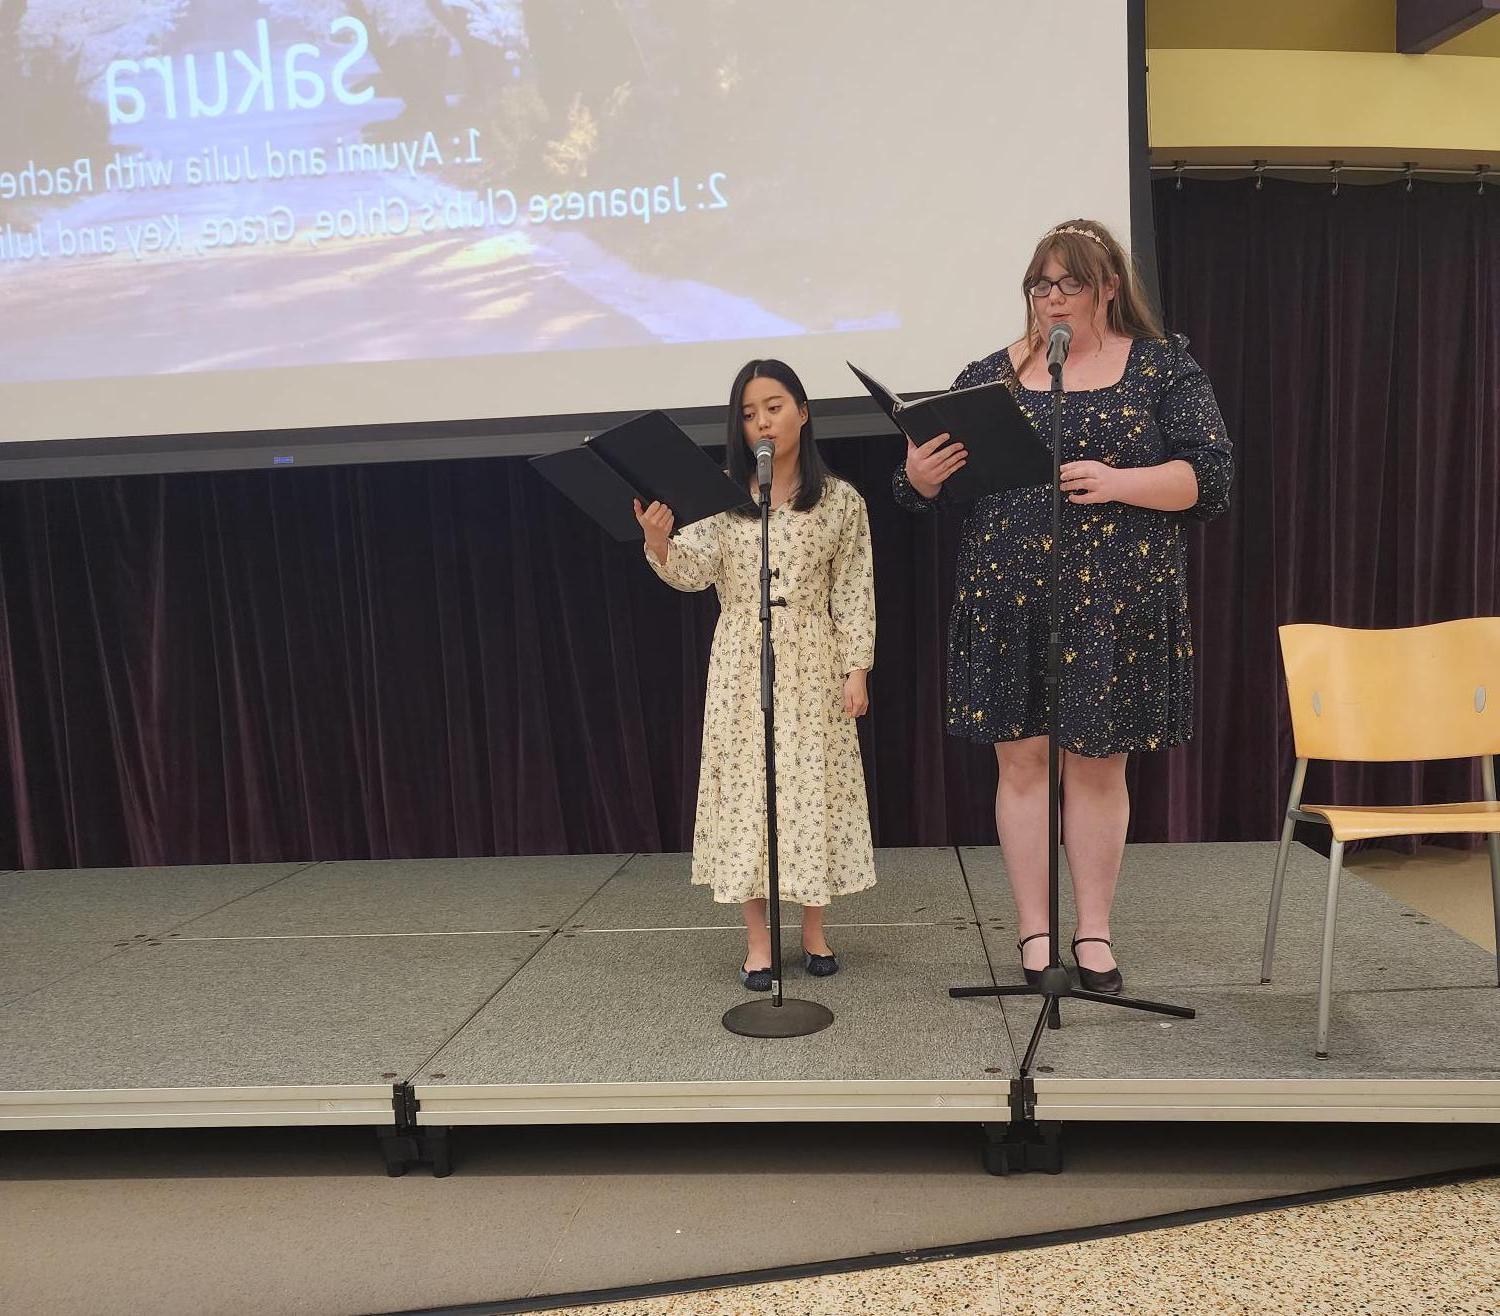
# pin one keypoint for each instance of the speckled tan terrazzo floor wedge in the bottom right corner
(1429, 1252)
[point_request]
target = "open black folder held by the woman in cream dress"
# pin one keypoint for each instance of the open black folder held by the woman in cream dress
(649, 458)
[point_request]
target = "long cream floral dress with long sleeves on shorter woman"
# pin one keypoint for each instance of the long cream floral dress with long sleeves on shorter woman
(826, 629)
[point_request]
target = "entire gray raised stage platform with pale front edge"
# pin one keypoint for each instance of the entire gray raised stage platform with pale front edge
(590, 988)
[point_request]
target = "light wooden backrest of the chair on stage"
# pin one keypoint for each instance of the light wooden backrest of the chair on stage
(1421, 693)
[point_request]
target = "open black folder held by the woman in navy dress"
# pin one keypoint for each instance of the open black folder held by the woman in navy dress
(1006, 451)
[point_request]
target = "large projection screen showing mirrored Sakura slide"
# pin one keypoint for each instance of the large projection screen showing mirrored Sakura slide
(251, 232)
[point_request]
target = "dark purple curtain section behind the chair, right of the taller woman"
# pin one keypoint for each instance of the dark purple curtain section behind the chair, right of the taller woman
(1355, 346)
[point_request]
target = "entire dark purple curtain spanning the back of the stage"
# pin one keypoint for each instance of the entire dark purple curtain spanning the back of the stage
(440, 660)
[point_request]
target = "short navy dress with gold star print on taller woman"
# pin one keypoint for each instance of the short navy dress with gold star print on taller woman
(1127, 638)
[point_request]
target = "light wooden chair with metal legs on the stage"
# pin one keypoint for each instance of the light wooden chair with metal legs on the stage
(1423, 693)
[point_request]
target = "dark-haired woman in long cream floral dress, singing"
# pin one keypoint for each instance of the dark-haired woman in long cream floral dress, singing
(824, 649)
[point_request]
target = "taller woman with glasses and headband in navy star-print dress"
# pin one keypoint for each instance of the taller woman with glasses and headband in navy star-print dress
(1145, 452)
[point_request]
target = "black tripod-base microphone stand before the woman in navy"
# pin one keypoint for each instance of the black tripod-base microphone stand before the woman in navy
(1027, 1146)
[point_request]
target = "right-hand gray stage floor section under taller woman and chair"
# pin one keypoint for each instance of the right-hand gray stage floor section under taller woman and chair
(1411, 999)
